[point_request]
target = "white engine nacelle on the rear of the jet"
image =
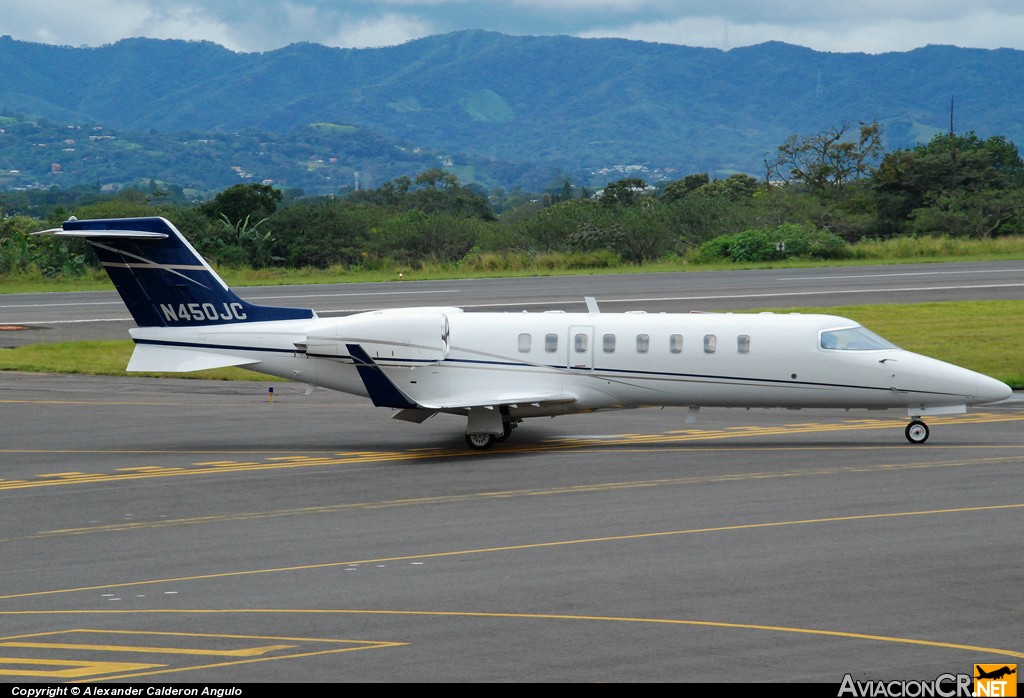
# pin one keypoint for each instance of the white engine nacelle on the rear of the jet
(392, 336)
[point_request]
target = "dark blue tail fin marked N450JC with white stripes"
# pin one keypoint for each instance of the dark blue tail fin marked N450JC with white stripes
(161, 277)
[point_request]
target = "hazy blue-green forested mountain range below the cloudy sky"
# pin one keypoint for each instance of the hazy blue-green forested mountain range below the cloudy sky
(496, 110)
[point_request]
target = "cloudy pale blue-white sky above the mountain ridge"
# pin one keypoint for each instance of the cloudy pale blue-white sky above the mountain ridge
(841, 26)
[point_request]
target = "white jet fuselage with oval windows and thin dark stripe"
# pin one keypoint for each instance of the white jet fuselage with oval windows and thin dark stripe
(448, 359)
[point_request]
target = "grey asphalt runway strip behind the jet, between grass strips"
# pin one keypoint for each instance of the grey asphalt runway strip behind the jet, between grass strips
(33, 319)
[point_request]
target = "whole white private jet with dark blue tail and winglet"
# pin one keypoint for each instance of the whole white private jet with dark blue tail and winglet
(498, 369)
